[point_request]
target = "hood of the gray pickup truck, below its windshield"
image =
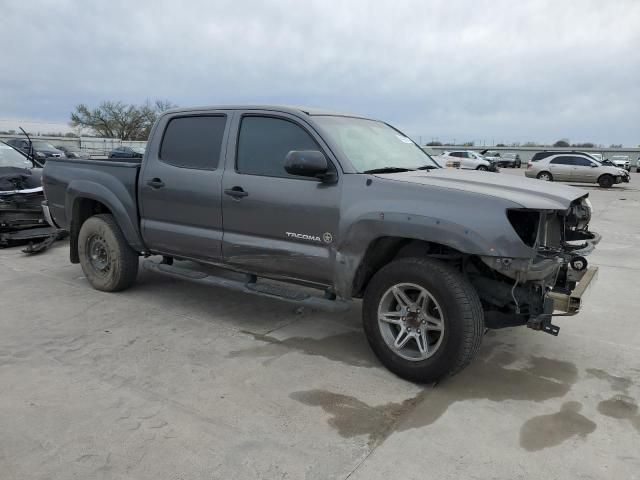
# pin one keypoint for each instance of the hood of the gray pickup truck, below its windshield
(527, 192)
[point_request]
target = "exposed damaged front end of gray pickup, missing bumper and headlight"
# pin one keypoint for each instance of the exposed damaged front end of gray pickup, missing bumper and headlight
(527, 291)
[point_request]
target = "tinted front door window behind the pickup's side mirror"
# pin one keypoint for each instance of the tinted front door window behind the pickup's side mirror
(264, 142)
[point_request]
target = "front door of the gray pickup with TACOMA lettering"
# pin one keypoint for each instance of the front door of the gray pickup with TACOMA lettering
(277, 224)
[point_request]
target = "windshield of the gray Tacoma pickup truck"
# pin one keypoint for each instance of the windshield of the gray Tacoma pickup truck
(371, 145)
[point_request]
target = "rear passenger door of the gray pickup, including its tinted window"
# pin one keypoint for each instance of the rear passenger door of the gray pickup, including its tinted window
(180, 186)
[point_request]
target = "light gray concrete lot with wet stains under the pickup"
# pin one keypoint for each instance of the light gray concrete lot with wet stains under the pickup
(171, 380)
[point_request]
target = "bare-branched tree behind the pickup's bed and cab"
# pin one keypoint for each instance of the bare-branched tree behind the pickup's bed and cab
(119, 120)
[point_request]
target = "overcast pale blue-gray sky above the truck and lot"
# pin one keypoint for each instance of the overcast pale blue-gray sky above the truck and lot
(466, 70)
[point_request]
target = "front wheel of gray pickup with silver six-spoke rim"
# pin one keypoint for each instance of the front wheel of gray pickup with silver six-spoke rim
(452, 299)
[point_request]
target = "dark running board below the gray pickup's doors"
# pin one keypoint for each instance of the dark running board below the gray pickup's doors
(261, 289)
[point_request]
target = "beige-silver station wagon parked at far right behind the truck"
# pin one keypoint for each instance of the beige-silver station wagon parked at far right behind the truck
(573, 167)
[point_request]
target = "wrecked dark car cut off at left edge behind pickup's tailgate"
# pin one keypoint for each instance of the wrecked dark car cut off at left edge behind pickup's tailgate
(22, 218)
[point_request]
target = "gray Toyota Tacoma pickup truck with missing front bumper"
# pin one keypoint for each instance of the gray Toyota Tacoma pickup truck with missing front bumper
(297, 201)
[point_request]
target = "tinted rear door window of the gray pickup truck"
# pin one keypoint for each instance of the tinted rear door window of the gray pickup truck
(193, 142)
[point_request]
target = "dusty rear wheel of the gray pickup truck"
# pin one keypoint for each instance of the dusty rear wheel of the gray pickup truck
(107, 260)
